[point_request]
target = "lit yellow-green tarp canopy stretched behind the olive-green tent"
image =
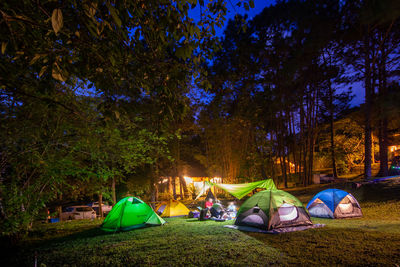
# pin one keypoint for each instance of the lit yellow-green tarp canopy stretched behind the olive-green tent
(239, 190)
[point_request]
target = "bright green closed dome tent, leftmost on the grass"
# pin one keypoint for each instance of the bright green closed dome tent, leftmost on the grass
(130, 213)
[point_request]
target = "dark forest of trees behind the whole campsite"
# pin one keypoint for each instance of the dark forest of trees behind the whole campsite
(99, 95)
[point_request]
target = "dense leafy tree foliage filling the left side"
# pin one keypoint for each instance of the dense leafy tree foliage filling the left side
(91, 92)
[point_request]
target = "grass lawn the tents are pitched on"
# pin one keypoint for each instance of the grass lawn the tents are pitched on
(371, 240)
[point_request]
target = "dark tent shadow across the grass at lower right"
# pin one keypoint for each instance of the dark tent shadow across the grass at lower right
(372, 247)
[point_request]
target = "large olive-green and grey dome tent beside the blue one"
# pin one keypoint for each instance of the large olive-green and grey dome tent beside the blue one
(271, 209)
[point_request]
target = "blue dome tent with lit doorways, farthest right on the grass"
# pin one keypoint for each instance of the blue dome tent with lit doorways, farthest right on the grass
(334, 203)
